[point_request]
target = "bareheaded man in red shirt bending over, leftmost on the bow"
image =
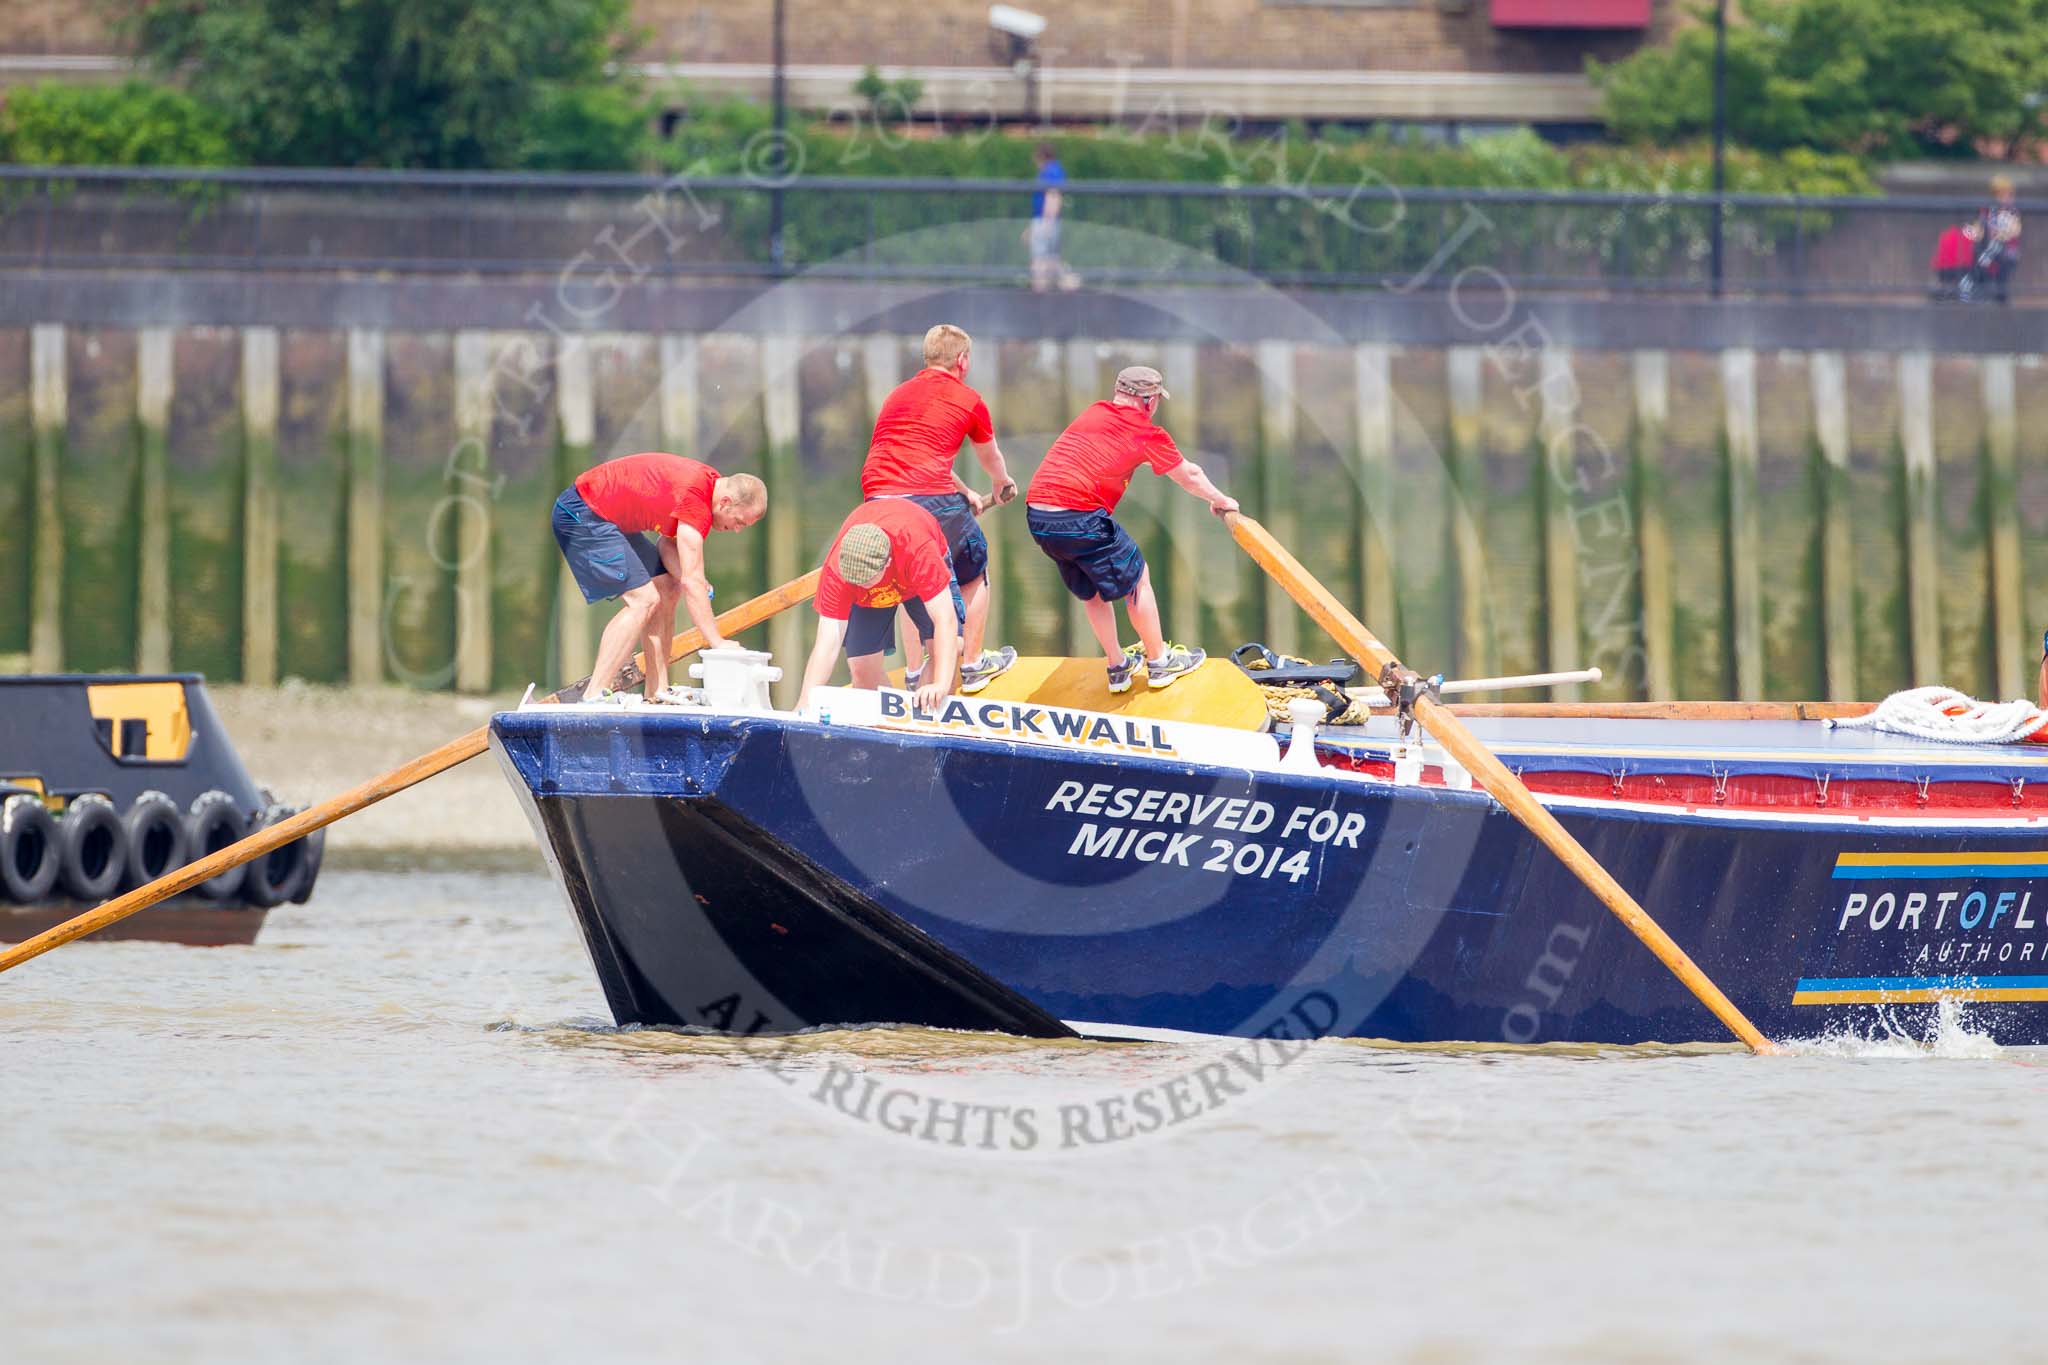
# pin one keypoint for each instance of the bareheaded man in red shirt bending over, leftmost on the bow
(601, 527)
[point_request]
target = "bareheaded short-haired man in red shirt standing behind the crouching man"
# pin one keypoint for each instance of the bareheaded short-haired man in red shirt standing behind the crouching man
(916, 437)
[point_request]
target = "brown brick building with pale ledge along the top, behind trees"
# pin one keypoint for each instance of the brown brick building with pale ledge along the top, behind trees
(1355, 60)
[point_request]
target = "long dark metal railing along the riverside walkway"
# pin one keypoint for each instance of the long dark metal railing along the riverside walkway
(513, 224)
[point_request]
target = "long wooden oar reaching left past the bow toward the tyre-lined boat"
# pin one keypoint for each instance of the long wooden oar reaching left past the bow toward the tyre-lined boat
(368, 795)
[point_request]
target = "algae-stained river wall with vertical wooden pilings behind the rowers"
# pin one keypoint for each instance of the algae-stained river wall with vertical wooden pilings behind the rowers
(366, 507)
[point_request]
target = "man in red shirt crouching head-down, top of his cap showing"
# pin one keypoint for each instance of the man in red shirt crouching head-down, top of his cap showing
(888, 554)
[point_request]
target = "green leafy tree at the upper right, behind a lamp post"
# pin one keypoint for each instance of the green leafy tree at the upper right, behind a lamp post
(1869, 77)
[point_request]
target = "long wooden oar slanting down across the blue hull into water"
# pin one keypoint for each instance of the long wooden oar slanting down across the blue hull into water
(1492, 775)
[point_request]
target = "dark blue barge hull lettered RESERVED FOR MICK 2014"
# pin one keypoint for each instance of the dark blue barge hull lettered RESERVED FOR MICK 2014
(773, 875)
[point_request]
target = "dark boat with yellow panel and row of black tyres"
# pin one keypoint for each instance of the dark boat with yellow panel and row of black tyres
(110, 783)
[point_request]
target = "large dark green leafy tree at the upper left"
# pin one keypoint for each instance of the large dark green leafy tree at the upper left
(404, 83)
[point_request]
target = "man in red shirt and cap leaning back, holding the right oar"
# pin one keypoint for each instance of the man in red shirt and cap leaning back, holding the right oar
(1070, 502)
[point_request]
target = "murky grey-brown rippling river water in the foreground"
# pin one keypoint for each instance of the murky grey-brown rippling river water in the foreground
(402, 1129)
